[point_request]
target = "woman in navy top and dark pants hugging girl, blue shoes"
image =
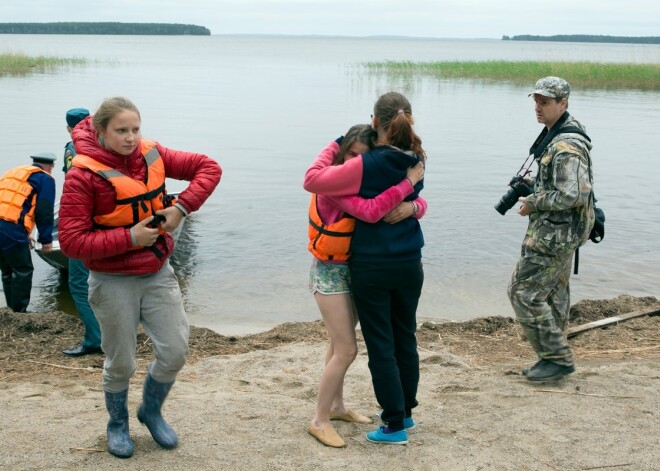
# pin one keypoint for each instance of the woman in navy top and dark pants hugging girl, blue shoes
(385, 263)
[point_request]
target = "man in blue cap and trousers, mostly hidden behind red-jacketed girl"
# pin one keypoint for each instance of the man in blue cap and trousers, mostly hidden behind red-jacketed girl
(78, 273)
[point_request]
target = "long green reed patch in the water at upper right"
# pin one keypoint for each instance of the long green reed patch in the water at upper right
(580, 74)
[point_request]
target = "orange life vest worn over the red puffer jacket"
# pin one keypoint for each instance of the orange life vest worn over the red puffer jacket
(136, 200)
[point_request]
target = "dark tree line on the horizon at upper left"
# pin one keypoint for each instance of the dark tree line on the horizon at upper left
(114, 28)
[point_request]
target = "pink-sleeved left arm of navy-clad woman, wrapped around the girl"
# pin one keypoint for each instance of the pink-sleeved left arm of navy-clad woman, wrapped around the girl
(323, 178)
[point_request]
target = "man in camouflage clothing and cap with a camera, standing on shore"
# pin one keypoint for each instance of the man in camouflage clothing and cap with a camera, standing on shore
(561, 216)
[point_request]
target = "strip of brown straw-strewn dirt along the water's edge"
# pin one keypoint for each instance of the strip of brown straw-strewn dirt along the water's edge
(31, 344)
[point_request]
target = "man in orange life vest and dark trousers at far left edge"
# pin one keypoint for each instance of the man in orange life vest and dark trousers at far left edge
(28, 198)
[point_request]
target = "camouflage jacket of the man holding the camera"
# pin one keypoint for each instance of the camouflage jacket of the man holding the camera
(562, 206)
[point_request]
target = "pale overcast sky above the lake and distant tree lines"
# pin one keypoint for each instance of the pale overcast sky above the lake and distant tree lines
(418, 18)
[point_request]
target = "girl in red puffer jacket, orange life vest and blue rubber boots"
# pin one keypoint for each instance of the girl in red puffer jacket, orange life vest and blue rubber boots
(112, 198)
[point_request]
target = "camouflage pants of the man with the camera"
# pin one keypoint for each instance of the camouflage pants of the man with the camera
(540, 297)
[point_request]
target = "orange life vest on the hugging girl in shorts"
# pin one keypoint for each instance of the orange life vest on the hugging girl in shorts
(329, 242)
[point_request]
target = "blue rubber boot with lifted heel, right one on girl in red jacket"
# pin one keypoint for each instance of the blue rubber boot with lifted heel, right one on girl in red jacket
(153, 396)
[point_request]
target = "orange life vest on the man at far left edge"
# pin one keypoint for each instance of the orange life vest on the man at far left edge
(14, 191)
